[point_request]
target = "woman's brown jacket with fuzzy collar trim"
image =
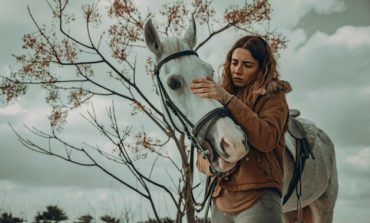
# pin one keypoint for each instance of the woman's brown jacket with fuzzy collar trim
(264, 125)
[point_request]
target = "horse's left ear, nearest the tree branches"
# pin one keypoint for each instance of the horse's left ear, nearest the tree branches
(152, 38)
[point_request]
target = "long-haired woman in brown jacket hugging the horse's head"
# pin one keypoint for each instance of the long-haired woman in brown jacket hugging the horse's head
(254, 95)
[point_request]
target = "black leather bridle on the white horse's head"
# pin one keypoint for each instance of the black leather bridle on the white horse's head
(193, 131)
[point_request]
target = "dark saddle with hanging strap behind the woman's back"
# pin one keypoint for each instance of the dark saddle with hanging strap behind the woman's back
(302, 151)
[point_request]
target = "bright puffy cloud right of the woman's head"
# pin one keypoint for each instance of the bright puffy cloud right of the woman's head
(325, 62)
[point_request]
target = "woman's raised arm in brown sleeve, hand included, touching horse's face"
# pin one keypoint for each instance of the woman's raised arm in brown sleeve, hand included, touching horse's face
(264, 129)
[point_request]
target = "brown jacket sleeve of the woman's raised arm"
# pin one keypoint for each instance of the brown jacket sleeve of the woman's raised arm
(264, 129)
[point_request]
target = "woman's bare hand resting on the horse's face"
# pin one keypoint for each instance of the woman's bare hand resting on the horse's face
(207, 88)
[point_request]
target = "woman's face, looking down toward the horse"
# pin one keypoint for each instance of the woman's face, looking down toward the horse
(243, 67)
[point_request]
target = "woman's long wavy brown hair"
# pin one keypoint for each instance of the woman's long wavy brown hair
(267, 71)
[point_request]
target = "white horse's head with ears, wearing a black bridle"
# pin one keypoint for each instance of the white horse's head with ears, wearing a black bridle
(177, 66)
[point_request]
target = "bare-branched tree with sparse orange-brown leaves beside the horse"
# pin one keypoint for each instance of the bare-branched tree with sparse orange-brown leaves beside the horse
(108, 55)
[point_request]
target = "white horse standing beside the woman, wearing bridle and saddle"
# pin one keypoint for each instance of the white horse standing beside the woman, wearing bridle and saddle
(319, 179)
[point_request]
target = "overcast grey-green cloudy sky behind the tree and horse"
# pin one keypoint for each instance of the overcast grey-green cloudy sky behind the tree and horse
(327, 61)
